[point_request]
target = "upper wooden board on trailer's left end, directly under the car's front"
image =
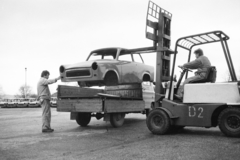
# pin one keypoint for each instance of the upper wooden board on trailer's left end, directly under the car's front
(73, 91)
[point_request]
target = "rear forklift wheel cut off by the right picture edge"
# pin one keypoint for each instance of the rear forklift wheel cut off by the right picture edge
(229, 122)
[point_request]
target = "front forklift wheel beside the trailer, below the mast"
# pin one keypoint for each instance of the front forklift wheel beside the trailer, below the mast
(158, 122)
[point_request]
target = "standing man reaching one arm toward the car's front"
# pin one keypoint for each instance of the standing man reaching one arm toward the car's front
(44, 96)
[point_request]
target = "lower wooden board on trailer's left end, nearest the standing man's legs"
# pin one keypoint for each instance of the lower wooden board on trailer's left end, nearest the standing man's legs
(80, 105)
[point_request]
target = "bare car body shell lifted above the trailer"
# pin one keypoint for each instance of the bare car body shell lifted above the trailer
(108, 67)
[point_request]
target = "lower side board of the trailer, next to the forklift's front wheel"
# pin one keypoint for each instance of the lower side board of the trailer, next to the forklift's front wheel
(113, 106)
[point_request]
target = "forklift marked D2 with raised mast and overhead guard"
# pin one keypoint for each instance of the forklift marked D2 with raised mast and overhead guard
(205, 103)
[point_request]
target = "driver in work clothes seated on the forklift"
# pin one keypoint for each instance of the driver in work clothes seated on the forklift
(201, 63)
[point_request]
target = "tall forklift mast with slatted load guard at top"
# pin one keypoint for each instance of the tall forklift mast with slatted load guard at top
(159, 22)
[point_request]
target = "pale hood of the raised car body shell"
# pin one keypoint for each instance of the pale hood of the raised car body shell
(87, 64)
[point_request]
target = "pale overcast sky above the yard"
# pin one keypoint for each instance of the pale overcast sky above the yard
(44, 34)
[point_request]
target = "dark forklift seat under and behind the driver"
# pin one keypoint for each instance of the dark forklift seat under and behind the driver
(211, 76)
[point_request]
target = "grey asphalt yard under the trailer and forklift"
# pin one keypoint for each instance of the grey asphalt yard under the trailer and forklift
(21, 138)
